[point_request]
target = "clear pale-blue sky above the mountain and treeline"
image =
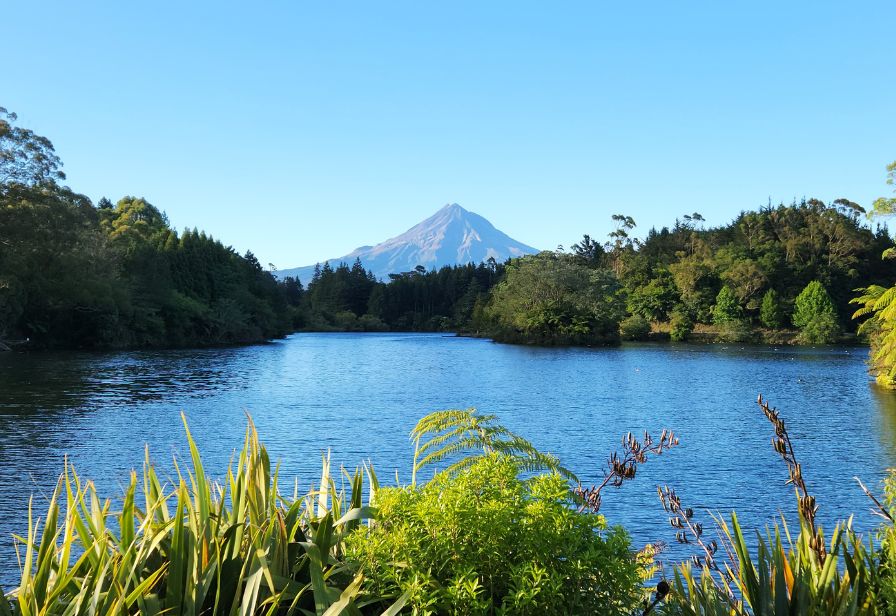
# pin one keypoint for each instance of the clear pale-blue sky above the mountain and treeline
(302, 130)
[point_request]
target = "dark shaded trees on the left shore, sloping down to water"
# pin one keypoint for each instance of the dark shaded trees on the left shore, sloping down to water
(77, 275)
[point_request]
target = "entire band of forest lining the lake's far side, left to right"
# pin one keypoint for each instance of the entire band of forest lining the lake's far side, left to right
(74, 274)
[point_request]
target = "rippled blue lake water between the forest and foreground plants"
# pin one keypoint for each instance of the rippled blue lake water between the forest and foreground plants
(361, 394)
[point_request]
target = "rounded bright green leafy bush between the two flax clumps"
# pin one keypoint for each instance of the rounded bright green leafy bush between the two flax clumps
(484, 541)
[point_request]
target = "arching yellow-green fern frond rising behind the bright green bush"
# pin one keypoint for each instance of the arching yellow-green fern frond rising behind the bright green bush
(466, 433)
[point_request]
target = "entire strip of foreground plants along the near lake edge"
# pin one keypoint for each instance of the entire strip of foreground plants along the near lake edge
(497, 528)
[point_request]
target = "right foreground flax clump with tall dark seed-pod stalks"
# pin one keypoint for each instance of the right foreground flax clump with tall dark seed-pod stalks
(786, 574)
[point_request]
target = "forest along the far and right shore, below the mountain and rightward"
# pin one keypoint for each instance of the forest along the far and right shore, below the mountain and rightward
(783, 274)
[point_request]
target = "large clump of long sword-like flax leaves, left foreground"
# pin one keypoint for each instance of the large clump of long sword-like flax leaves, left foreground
(199, 547)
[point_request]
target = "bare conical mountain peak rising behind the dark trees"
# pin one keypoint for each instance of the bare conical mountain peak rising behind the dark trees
(451, 236)
